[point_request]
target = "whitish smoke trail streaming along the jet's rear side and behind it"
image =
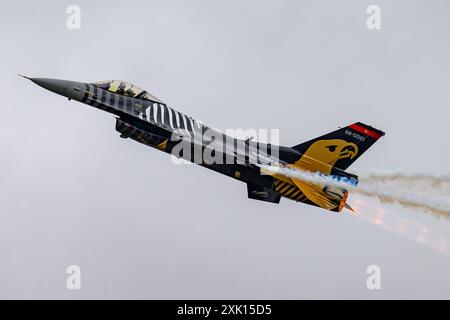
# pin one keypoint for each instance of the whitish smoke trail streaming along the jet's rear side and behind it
(424, 192)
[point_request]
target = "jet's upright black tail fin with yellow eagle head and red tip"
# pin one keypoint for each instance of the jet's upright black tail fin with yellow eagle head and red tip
(342, 147)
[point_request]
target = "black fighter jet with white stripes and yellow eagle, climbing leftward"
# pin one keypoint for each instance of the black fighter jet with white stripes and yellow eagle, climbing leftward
(146, 119)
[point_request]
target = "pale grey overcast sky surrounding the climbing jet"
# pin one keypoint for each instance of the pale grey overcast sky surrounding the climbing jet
(73, 193)
